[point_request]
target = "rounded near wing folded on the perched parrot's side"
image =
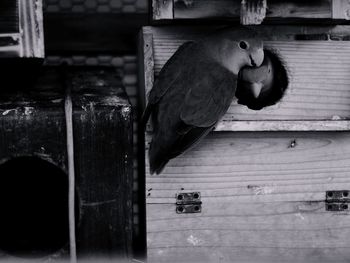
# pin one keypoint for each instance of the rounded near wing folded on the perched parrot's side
(210, 96)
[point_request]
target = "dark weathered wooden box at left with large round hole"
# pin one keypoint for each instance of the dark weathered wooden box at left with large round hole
(33, 125)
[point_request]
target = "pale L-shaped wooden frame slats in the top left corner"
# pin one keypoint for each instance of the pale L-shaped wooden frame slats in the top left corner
(28, 41)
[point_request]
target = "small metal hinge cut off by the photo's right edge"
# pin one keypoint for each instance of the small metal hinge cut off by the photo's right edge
(337, 200)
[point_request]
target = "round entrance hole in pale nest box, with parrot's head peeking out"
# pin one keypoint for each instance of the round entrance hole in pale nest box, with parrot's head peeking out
(262, 86)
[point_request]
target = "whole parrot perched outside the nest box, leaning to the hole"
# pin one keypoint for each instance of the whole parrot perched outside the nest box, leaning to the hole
(194, 90)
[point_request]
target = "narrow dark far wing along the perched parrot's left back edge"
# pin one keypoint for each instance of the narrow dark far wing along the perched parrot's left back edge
(169, 73)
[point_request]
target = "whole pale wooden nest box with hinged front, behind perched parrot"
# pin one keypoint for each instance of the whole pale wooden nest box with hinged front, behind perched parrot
(262, 175)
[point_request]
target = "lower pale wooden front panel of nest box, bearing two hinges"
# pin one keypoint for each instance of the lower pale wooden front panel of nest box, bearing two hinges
(263, 200)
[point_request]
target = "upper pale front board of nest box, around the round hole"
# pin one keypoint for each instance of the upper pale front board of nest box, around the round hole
(318, 70)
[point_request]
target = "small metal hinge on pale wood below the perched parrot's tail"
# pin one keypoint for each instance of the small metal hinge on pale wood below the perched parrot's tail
(188, 203)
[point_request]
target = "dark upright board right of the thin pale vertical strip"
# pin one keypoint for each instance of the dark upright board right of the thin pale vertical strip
(102, 123)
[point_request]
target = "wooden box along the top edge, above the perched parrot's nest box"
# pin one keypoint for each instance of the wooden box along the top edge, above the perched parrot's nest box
(291, 10)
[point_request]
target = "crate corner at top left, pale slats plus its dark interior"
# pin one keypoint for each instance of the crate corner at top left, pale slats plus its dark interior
(21, 28)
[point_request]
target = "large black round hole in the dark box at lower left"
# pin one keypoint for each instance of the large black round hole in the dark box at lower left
(34, 207)
